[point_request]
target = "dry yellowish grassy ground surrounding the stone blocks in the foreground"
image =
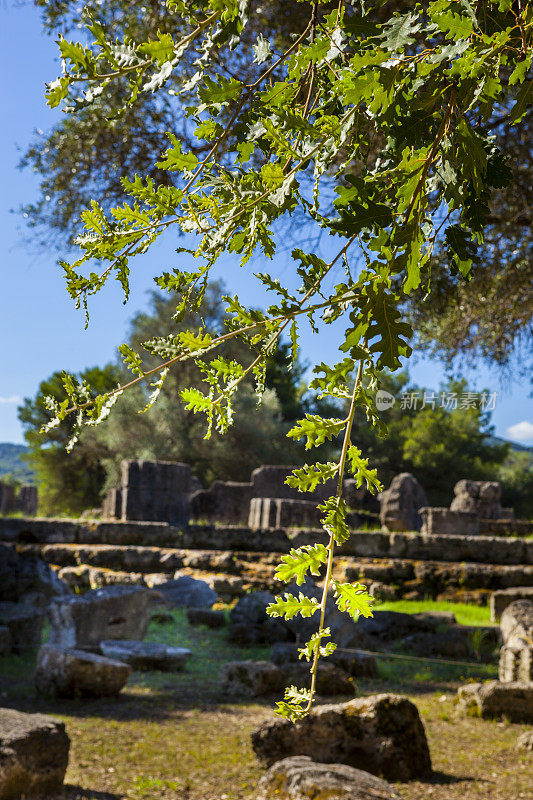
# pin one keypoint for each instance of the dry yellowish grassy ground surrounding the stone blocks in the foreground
(170, 736)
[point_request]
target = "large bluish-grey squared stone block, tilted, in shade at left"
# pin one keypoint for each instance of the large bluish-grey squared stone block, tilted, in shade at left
(116, 612)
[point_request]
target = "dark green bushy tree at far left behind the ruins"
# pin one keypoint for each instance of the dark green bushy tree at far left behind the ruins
(67, 483)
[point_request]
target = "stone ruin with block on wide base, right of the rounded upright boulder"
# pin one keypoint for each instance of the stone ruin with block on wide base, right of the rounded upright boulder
(475, 509)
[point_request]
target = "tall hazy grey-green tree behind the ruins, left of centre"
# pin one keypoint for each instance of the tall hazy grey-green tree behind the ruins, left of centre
(169, 431)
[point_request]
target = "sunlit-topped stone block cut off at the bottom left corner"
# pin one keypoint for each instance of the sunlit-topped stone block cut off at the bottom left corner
(33, 755)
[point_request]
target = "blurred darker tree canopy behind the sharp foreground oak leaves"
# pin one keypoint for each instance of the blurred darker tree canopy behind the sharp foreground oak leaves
(86, 154)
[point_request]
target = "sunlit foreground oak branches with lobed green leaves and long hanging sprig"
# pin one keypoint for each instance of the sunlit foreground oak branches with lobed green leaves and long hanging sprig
(423, 87)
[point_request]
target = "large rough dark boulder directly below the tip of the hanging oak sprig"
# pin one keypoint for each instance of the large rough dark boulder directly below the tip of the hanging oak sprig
(383, 733)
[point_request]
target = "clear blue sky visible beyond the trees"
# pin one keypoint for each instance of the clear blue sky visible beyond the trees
(40, 329)
